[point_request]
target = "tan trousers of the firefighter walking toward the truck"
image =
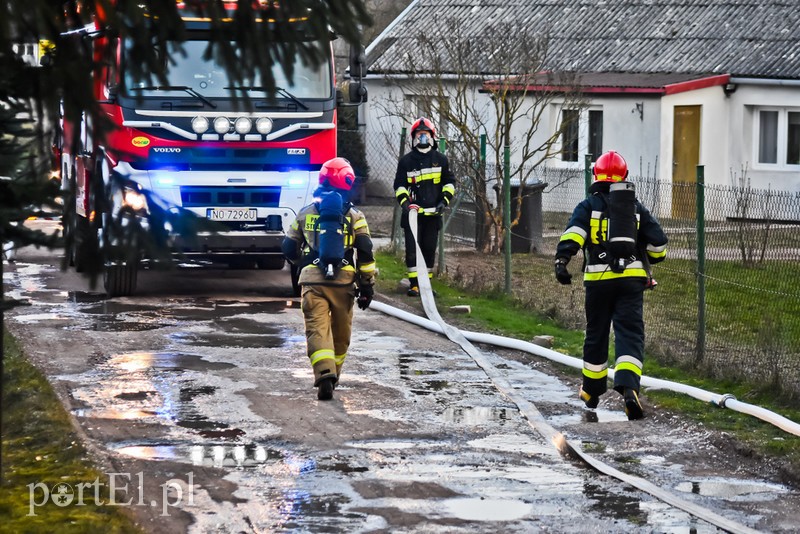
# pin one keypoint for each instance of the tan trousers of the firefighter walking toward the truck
(328, 316)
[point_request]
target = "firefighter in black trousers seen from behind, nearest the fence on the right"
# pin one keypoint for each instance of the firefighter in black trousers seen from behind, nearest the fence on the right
(614, 286)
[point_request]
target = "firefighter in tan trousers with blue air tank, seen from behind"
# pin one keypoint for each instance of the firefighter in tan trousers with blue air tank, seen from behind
(327, 303)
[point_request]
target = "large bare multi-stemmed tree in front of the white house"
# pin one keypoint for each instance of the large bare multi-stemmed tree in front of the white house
(495, 82)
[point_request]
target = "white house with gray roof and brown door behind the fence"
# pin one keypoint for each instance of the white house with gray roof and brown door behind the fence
(671, 83)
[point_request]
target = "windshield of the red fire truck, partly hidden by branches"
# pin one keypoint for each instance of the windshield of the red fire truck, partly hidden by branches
(208, 77)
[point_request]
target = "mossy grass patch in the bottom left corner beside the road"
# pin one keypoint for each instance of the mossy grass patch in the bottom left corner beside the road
(41, 450)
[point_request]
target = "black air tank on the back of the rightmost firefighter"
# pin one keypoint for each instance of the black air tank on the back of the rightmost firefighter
(622, 229)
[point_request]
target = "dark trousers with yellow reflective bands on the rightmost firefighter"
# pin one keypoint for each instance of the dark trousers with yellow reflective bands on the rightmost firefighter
(618, 302)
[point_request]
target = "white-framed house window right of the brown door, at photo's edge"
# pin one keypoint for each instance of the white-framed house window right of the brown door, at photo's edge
(778, 137)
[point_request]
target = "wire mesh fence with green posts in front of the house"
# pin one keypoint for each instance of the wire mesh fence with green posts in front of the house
(728, 299)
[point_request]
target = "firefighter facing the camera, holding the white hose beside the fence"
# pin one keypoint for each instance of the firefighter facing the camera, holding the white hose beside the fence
(423, 182)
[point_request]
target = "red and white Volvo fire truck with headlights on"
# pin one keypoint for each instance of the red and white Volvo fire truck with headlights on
(189, 145)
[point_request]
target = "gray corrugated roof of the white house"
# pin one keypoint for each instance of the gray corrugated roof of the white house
(743, 38)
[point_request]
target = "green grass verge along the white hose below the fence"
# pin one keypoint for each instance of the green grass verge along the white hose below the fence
(497, 313)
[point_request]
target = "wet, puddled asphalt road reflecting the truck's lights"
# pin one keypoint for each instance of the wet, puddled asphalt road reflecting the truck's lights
(196, 394)
